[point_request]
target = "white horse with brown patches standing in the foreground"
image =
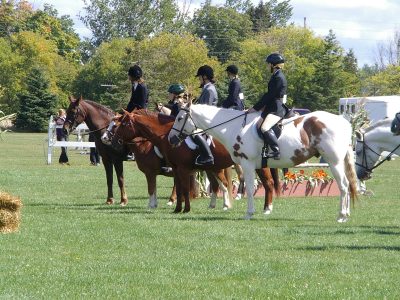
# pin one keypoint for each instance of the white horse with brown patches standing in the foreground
(317, 133)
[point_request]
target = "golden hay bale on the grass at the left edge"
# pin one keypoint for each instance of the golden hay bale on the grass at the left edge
(10, 216)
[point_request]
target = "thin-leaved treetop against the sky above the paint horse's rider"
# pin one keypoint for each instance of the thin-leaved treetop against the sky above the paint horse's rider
(270, 14)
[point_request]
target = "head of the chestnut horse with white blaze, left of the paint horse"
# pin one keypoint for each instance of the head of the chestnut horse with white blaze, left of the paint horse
(123, 131)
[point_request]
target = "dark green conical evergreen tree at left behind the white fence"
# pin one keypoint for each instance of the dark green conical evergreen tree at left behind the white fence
(37, 104)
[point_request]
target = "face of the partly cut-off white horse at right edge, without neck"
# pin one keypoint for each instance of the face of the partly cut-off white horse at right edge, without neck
(366, 157)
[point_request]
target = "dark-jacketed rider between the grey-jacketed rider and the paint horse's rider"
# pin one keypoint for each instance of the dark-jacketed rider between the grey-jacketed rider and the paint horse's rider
(235, 96)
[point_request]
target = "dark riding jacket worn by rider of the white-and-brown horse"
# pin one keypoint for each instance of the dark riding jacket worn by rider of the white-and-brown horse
(272, 100)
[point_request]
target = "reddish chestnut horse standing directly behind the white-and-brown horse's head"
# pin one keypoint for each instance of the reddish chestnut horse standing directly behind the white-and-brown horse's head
(155, 127)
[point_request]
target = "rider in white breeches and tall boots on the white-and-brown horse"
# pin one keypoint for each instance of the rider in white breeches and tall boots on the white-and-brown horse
(272, 104)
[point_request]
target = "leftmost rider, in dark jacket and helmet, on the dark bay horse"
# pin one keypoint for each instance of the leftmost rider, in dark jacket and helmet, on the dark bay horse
(140, 94)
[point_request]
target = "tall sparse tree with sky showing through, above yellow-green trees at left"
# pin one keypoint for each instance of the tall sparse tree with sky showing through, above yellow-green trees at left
(138, 19)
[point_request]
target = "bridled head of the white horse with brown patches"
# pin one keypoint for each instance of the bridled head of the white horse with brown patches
(183, 126)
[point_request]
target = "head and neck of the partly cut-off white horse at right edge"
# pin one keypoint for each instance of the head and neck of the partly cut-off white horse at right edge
(371, 143)
